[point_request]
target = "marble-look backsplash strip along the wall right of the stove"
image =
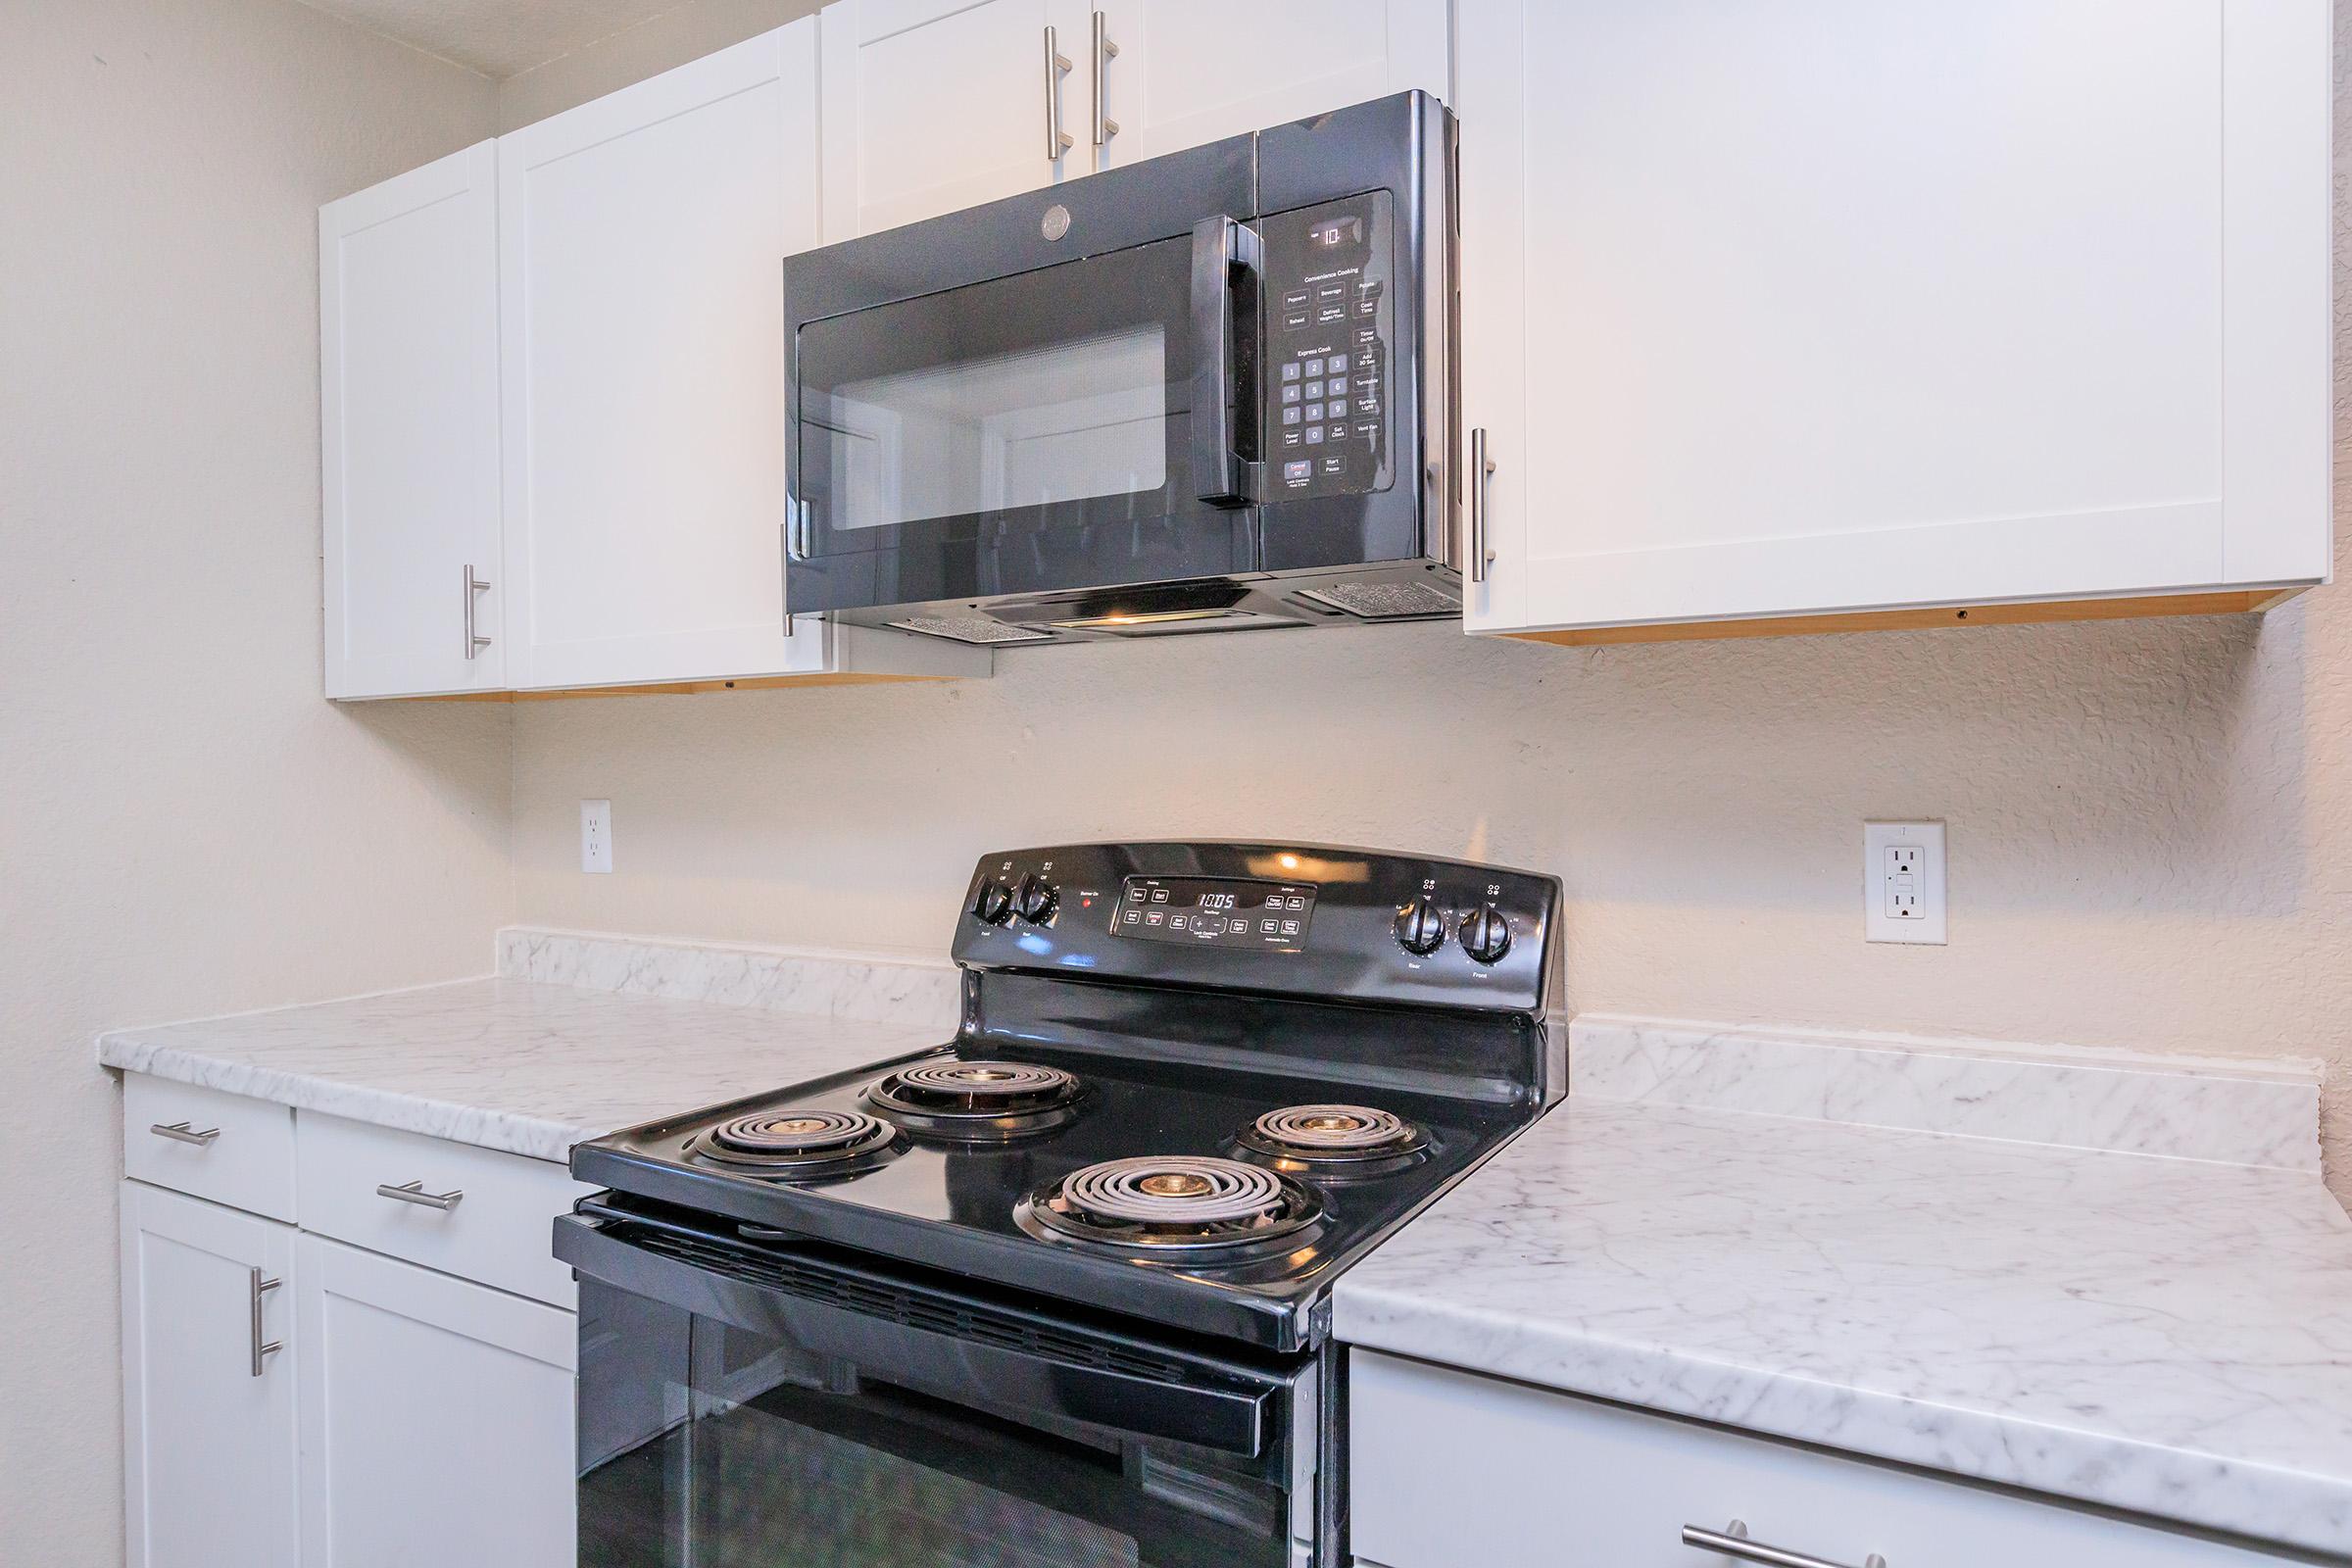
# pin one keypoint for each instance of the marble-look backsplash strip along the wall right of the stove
(2245, 1113)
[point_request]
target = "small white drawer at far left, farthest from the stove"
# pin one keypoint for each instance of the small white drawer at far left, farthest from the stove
(227, 1148)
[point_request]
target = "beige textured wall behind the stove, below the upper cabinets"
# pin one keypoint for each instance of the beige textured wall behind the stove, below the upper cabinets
(2151, 826)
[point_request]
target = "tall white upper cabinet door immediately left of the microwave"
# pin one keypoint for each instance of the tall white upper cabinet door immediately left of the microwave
(643, 361)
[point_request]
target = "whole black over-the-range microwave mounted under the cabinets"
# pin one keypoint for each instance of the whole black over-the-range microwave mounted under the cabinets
(1208, 391)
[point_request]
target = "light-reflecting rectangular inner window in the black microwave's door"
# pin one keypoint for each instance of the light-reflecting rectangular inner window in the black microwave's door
(1064, 422)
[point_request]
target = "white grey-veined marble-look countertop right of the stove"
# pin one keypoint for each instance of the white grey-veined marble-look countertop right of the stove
(2160, 1336)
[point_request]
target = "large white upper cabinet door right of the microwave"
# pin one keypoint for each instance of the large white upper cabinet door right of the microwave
(1840, 307)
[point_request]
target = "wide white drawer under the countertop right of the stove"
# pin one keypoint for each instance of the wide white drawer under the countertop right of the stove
(1452, 1468)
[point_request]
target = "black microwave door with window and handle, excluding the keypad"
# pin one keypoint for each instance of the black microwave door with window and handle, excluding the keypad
(1085, 424)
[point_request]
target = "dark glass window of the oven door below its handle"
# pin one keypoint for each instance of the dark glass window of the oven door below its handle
(716, 1447)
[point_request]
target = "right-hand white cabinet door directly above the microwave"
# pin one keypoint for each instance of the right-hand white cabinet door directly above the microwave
(1191, 72)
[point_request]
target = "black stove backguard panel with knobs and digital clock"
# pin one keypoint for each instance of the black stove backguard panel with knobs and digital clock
(1269, 918)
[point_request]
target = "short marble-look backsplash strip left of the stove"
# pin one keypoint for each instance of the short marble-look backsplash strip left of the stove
(857, 989)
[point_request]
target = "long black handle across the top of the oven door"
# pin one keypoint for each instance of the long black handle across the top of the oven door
(963, 1369)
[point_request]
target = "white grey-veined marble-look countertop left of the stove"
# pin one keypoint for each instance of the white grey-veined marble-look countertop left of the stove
(509, 1064)
